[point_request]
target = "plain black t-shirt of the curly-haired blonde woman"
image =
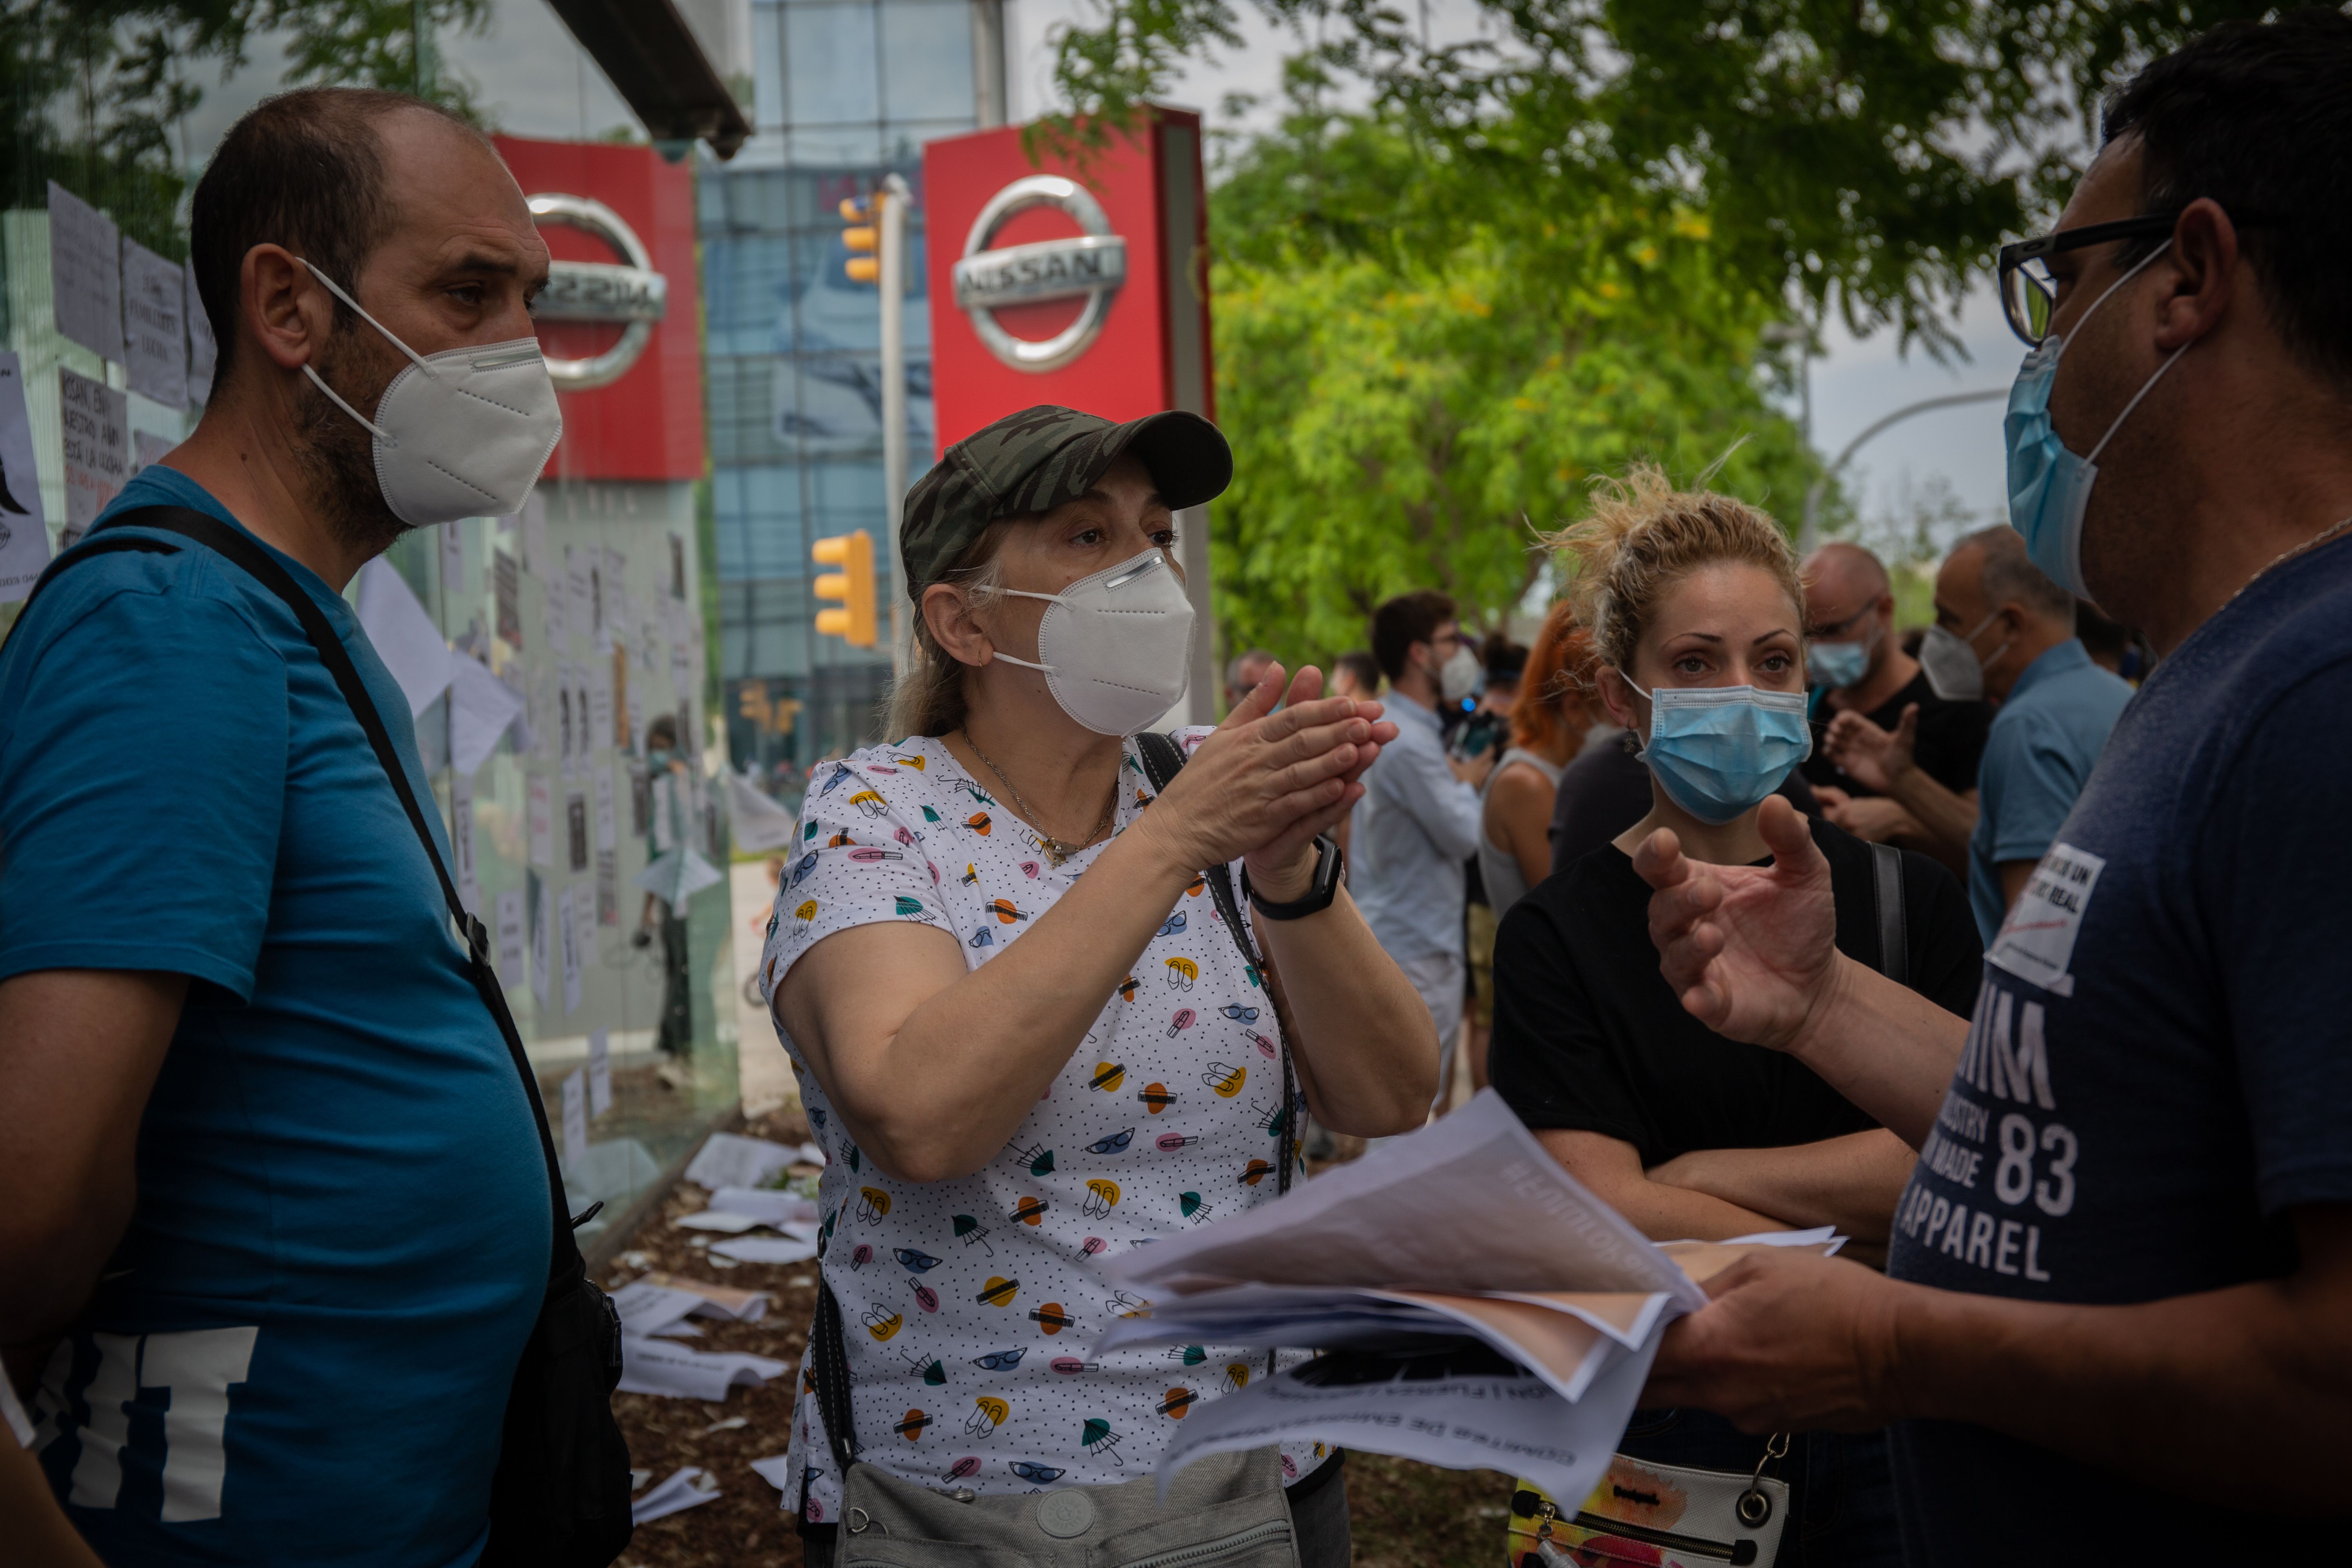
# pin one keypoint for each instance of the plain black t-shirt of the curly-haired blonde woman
(1589, 1036)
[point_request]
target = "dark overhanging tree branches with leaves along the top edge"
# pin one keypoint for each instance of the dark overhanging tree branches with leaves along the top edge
(1847, 154)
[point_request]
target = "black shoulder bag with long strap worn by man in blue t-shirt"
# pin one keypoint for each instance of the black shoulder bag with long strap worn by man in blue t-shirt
(561, 1492)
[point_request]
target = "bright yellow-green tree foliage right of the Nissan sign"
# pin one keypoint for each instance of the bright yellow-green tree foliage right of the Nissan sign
(1412, 415)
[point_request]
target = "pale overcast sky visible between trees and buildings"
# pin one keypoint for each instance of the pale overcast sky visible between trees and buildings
(537, 83)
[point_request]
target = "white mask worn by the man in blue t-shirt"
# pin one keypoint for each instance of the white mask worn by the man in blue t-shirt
(460, 434)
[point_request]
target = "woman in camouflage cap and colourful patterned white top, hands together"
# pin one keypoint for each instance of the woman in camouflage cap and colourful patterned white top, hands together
(1036, 1026)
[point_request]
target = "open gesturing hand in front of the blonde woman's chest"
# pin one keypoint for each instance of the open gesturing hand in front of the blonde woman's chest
(1749, 949)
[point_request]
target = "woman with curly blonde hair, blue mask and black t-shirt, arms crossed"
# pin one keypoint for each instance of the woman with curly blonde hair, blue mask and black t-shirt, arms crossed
(1697, 634)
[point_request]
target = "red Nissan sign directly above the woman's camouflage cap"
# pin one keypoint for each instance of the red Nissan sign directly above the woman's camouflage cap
(1062, 283)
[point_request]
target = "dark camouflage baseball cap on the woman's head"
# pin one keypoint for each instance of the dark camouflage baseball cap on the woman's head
(1038, 460)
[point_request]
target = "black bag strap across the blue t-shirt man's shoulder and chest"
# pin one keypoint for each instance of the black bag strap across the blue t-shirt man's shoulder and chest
(258, 563)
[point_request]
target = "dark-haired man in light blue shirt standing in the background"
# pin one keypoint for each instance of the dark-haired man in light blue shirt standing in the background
(1417, 826)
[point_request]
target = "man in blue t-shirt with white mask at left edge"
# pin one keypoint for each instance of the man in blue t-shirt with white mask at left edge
(276, 1188)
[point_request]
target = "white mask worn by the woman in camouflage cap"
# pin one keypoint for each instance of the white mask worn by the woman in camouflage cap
(1116, 648)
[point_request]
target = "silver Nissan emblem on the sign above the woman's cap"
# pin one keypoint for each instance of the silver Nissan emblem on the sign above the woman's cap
(1088, 267)
